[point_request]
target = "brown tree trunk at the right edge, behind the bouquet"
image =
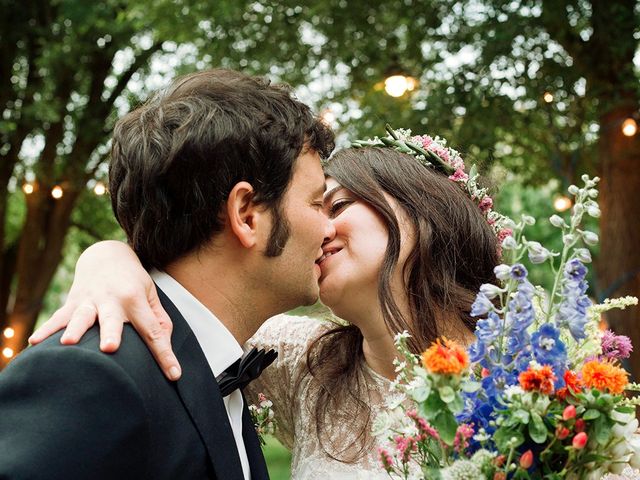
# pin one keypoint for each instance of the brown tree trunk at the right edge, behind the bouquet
(620, 223)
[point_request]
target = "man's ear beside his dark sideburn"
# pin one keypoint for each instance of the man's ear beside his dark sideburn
(244, 216)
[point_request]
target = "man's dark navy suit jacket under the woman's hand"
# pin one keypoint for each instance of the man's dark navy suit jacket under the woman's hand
(73, 412)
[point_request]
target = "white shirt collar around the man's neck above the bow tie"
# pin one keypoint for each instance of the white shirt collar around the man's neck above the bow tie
(218, 345)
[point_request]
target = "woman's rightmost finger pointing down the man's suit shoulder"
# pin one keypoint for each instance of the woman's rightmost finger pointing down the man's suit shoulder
(155, 327)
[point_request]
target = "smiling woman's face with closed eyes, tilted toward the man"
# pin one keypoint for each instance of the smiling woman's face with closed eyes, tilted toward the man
(352, 260)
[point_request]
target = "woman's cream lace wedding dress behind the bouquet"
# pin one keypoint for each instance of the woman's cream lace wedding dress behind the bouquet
(294, 395)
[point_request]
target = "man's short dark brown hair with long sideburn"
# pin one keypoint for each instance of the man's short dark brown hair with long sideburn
(176, 158)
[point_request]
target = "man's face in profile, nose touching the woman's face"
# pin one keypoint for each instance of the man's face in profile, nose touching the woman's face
(294, 273)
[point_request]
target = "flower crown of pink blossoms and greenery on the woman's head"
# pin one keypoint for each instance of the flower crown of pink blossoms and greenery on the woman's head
(434, 153)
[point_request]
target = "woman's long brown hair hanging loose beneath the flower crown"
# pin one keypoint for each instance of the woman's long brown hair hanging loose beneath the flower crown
(455, 252)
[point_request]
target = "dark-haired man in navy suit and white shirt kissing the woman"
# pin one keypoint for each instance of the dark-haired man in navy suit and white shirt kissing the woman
(218, 185)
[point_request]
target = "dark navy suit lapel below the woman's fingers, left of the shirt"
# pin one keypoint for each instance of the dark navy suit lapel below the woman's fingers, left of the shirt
(201, 397)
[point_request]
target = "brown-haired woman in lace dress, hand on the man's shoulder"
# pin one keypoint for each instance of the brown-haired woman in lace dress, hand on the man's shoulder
(410, 252)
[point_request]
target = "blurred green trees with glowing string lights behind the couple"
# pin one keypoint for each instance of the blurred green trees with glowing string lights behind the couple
(534, 92)
